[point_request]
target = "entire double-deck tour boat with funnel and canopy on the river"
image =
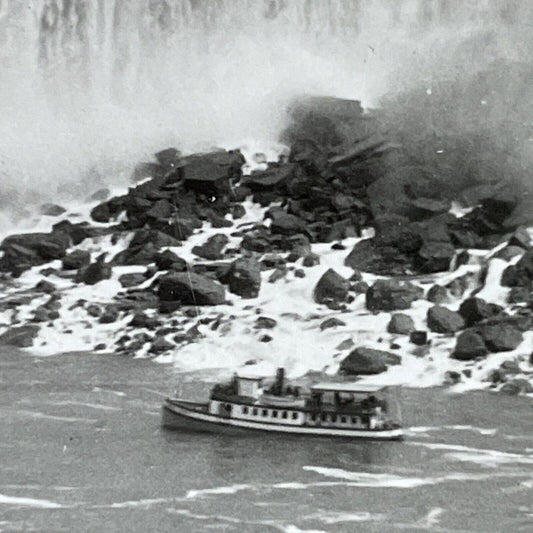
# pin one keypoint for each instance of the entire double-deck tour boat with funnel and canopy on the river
(336, 409)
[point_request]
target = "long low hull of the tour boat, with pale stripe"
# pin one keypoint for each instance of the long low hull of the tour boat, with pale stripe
(178, 415)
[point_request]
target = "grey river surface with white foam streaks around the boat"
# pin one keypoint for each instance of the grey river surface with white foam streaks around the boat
(82, 450)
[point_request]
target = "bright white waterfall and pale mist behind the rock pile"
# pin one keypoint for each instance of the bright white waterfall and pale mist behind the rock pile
(87, 88)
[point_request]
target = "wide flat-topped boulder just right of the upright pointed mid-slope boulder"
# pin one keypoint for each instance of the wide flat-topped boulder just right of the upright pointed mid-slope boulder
(392, 294)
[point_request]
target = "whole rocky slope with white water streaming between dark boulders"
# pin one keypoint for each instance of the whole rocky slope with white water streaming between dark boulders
(343, 256)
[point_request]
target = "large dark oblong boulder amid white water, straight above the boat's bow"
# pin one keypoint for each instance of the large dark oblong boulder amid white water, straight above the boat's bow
(190, 289)
